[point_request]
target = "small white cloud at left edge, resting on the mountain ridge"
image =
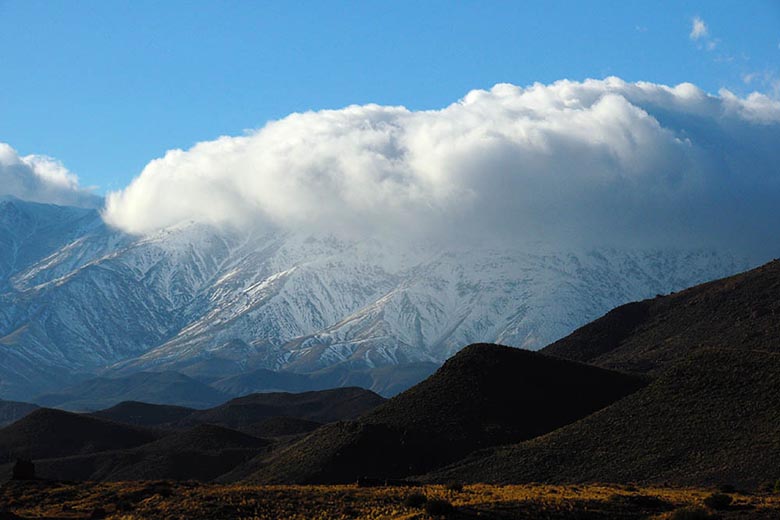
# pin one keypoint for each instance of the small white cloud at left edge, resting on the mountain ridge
(41, 179)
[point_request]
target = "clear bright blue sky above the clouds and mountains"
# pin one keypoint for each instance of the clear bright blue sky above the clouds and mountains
(107, 86)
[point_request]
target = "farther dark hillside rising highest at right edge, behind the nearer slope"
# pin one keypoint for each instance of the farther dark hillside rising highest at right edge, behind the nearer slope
(740, 312)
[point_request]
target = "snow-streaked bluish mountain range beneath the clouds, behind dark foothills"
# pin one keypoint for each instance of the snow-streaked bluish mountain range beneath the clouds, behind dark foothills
(78, 297)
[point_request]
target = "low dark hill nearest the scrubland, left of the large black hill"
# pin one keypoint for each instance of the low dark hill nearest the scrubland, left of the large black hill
(201, 453)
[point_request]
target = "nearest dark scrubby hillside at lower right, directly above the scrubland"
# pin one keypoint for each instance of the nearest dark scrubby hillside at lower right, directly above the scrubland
(710, 419)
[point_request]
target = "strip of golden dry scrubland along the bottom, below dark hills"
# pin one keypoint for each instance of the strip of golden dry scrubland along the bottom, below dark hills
(166, 500)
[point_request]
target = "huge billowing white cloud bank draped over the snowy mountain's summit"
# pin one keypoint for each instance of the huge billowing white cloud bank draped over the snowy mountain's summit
(604, 161)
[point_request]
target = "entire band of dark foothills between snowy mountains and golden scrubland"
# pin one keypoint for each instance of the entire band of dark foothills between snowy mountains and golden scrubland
(679, 389)
